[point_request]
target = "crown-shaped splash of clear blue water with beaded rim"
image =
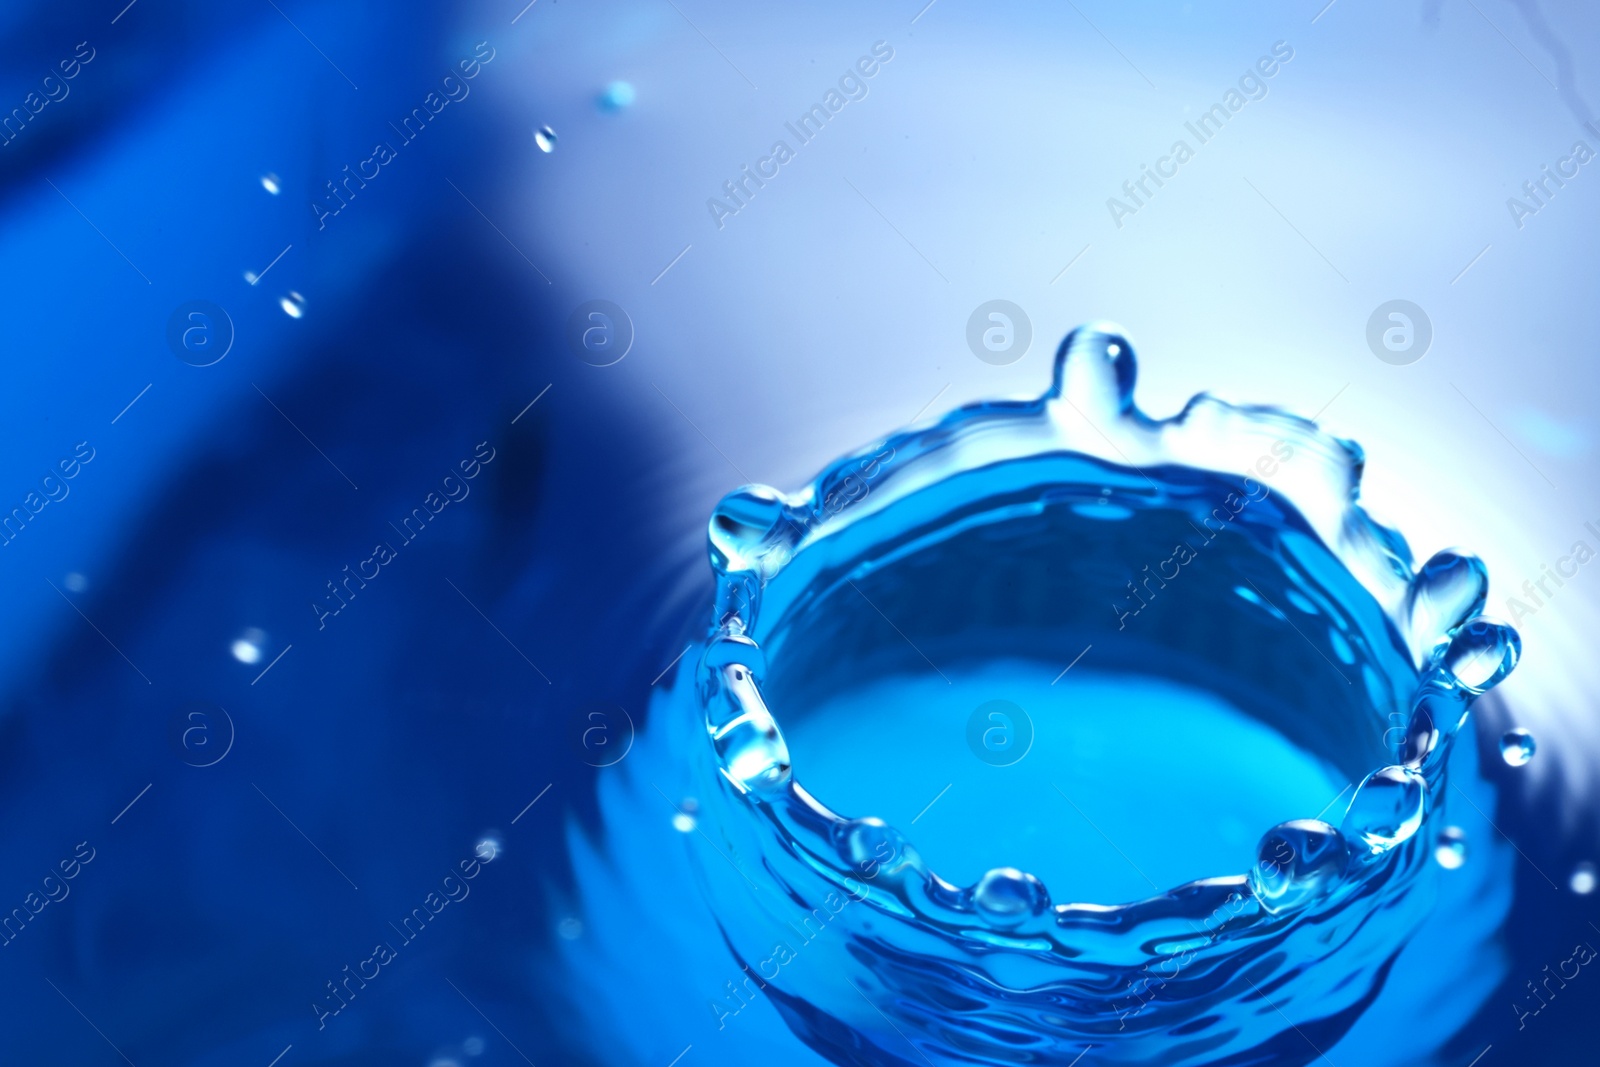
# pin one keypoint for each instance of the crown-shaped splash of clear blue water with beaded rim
(1210, 813)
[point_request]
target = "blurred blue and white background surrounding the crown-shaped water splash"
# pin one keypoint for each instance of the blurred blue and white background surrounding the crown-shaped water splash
(366, 756)
